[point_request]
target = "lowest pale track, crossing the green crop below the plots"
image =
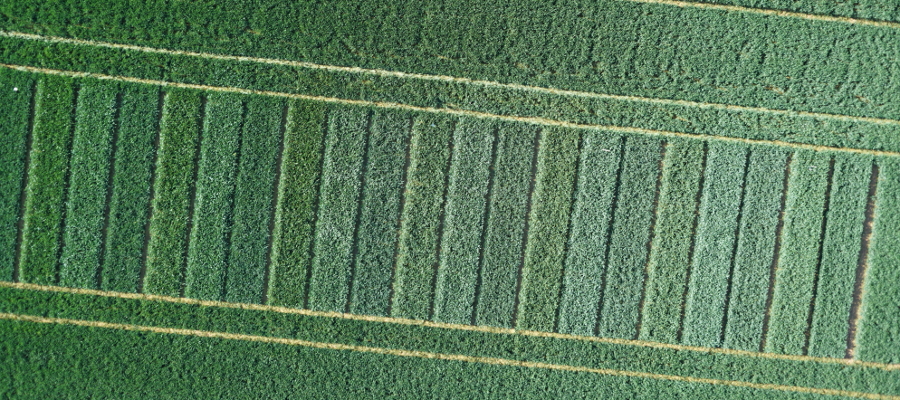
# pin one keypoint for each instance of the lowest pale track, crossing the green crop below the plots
(441, 356)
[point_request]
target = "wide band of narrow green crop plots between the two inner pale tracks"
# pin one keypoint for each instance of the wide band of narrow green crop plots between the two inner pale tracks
(463, 220)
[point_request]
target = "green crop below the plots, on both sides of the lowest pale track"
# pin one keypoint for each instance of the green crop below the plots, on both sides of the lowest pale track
(36, 351)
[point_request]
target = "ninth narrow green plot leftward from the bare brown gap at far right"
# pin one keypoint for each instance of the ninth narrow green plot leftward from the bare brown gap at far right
(505, 229)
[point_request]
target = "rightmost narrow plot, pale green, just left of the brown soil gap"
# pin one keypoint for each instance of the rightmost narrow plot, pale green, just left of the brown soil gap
(840, 253)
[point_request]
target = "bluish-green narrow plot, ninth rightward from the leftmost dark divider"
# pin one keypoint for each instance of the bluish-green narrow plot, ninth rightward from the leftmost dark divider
(379, 220)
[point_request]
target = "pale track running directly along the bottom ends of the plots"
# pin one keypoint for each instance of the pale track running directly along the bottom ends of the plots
(441, 325)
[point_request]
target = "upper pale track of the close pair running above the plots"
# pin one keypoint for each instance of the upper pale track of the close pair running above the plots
(467, 81)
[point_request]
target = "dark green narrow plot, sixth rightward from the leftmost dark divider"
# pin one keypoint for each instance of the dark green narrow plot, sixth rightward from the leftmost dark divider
(254, 189)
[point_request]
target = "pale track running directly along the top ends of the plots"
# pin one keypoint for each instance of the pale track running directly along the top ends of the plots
(450, 111)
